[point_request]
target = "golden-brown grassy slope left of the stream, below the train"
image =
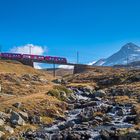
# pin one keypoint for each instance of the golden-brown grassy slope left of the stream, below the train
(26, 87)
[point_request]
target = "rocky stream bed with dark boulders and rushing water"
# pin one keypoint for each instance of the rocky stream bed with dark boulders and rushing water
(88, 118)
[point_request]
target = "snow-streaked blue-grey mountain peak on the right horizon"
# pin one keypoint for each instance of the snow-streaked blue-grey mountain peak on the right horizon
(127, 54)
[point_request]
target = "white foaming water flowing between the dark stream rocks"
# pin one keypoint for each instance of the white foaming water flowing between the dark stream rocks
(94, 132)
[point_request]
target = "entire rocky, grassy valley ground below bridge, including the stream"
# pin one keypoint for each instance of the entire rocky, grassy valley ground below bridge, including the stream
(102, 103)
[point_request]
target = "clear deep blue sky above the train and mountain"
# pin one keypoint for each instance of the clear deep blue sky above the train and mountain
(95, 28)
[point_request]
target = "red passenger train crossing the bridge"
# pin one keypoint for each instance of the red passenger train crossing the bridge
(16, 56)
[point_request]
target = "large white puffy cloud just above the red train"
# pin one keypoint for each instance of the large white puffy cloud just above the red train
(25, 49)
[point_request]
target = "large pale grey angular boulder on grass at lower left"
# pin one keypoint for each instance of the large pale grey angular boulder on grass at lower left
(16, 119)
